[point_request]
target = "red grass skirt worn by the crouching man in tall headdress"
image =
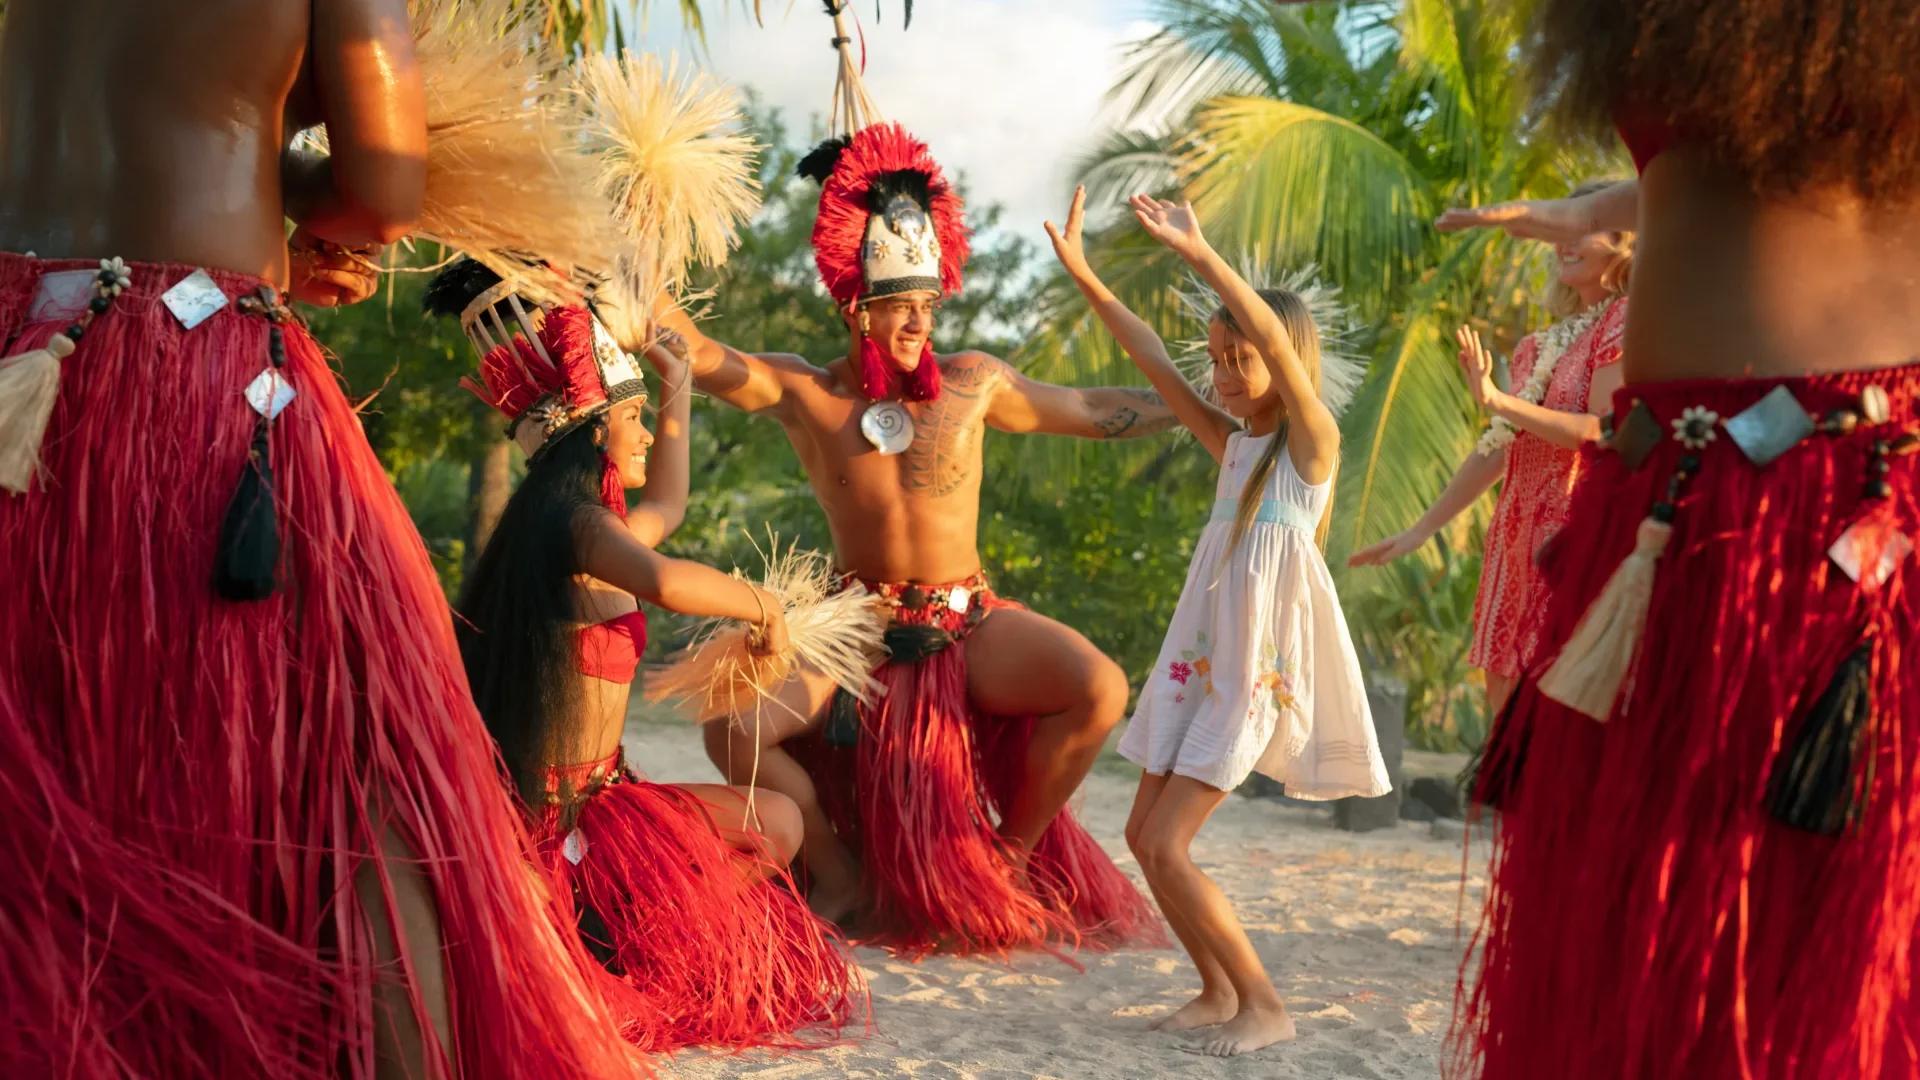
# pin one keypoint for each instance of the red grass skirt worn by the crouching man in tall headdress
(919, 800)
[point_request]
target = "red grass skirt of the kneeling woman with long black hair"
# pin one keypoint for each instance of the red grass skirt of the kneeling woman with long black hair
(696, 952)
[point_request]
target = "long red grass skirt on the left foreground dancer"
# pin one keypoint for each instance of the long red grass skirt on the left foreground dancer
(191, 785)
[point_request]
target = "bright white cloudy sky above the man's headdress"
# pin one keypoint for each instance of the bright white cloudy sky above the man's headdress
(1003, 91)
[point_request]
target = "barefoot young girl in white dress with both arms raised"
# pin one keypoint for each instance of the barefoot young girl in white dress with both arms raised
(1259, 672)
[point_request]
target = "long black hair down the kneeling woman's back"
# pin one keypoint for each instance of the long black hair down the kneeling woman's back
(517, 612)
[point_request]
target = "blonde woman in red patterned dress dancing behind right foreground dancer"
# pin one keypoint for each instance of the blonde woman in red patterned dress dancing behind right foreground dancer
(1562, 381)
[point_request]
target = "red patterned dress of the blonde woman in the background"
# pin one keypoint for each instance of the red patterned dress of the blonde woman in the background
(1533, 503)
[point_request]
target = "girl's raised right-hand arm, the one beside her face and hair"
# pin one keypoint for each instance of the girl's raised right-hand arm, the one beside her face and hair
(1178, 228)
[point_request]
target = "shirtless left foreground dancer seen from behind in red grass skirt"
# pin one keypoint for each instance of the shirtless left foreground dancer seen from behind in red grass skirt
(241, 810)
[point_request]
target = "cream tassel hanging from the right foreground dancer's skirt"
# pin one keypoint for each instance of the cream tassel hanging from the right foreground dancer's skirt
(1591, 670)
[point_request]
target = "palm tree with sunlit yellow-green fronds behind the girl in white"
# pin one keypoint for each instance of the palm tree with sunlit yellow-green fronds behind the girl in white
(1332, 134)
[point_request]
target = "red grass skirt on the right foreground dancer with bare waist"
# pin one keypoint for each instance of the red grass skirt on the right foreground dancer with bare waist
(1648, 918)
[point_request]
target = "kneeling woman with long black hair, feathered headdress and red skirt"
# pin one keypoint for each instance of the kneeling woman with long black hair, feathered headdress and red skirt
(681, 889)
